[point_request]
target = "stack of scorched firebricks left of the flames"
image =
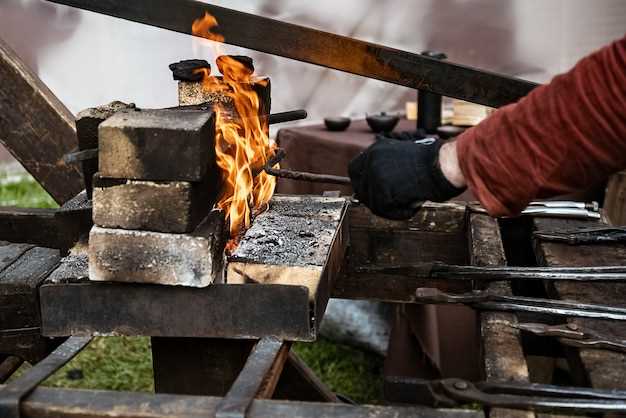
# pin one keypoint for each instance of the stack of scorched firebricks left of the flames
(155, 189)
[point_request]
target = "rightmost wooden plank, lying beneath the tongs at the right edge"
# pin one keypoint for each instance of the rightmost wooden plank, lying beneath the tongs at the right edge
(600, 368)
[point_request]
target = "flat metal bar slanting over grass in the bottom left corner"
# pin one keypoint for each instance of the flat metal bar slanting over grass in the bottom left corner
(12, 394)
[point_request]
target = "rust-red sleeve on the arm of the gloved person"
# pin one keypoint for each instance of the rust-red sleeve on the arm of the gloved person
(564, 136)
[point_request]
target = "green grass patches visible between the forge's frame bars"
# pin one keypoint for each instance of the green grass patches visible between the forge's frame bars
(125, 363)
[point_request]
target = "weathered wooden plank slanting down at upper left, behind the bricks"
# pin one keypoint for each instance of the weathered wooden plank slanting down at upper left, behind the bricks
(36, 128)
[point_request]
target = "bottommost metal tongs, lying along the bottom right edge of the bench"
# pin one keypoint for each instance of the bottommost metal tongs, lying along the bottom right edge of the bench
(528, 396)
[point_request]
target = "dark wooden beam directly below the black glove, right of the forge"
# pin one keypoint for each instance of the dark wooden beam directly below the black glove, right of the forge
(436, 233)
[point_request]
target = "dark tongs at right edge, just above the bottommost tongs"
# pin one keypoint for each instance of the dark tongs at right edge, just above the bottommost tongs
(575, 336)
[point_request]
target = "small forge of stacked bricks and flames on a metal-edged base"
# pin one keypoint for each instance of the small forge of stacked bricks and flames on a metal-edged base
(157, 188)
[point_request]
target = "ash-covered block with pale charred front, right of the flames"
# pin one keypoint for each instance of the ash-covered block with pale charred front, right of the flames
(298, 241)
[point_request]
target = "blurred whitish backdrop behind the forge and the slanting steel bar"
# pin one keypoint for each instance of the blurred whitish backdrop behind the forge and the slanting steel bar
(88, 59)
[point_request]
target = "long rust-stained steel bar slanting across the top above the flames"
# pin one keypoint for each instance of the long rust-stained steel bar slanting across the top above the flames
(321, 48)
